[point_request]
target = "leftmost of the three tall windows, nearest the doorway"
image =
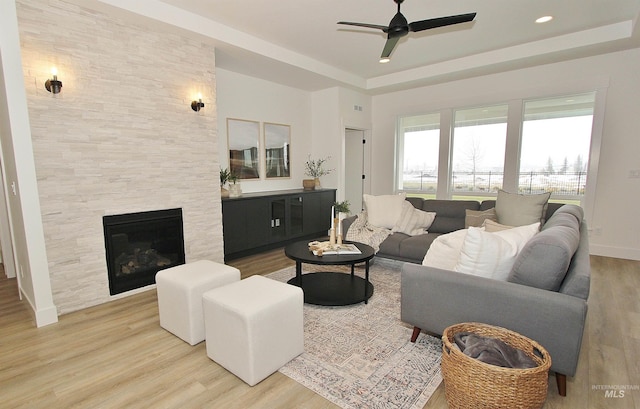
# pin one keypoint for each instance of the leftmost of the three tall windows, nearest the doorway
(418, 150)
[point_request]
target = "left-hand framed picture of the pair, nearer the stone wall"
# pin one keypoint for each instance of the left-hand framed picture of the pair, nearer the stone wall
(243, 138)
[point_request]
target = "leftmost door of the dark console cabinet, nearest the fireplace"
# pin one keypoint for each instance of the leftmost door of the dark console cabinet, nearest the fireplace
(245, 224)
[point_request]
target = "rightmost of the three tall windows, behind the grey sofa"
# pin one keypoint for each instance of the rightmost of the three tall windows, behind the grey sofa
(556, 136)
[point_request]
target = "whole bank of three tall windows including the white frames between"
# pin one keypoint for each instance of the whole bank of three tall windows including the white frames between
(529, 146)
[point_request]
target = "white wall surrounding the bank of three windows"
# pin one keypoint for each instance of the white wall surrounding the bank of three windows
(616, 197)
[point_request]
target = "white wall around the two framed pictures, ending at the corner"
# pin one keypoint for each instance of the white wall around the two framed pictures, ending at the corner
(243, 97)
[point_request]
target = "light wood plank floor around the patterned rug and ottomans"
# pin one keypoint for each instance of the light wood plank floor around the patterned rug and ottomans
(116, 355)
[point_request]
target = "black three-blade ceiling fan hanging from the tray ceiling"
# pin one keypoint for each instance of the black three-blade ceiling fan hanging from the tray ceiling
(399, 27)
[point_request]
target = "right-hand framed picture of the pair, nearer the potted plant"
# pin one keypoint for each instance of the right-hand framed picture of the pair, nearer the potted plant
(277, 145)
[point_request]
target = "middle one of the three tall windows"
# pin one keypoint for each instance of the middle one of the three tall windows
(479, 140)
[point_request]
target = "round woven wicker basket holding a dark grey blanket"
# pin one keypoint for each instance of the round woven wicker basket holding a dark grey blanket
(473, 384)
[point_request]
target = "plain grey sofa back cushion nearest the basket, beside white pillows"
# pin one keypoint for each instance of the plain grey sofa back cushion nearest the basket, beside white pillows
(545, 259)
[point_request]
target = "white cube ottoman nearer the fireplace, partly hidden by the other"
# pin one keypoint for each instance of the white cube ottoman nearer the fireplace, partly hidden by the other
(180, 292)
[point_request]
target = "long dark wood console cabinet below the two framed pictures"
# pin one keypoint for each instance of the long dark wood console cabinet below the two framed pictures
(256, 222)
